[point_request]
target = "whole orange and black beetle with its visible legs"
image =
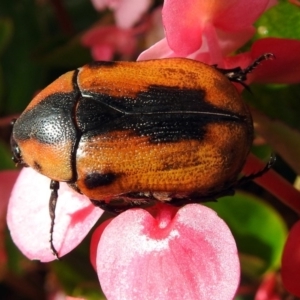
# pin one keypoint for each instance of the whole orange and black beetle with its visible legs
(126, 134)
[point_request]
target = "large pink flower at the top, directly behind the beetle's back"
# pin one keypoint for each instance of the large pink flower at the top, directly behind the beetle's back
(206, 31)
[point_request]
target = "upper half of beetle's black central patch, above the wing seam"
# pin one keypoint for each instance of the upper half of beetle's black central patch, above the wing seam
(161, 99)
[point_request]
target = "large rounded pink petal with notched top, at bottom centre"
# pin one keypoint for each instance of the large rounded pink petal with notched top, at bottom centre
(190, 254)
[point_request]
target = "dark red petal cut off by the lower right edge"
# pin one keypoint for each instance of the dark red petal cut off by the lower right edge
(290, 269)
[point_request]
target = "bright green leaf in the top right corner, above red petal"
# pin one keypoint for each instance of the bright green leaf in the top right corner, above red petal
(282, 20)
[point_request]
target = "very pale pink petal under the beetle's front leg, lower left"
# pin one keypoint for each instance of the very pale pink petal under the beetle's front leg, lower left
(29, 221)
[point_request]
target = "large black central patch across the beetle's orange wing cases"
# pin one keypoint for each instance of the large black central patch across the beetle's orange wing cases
(164, 114)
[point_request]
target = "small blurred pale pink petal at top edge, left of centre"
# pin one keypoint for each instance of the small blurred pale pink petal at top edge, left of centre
(127, 12)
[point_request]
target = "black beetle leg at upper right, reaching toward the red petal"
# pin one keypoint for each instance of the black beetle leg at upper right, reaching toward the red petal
(239, 75)
